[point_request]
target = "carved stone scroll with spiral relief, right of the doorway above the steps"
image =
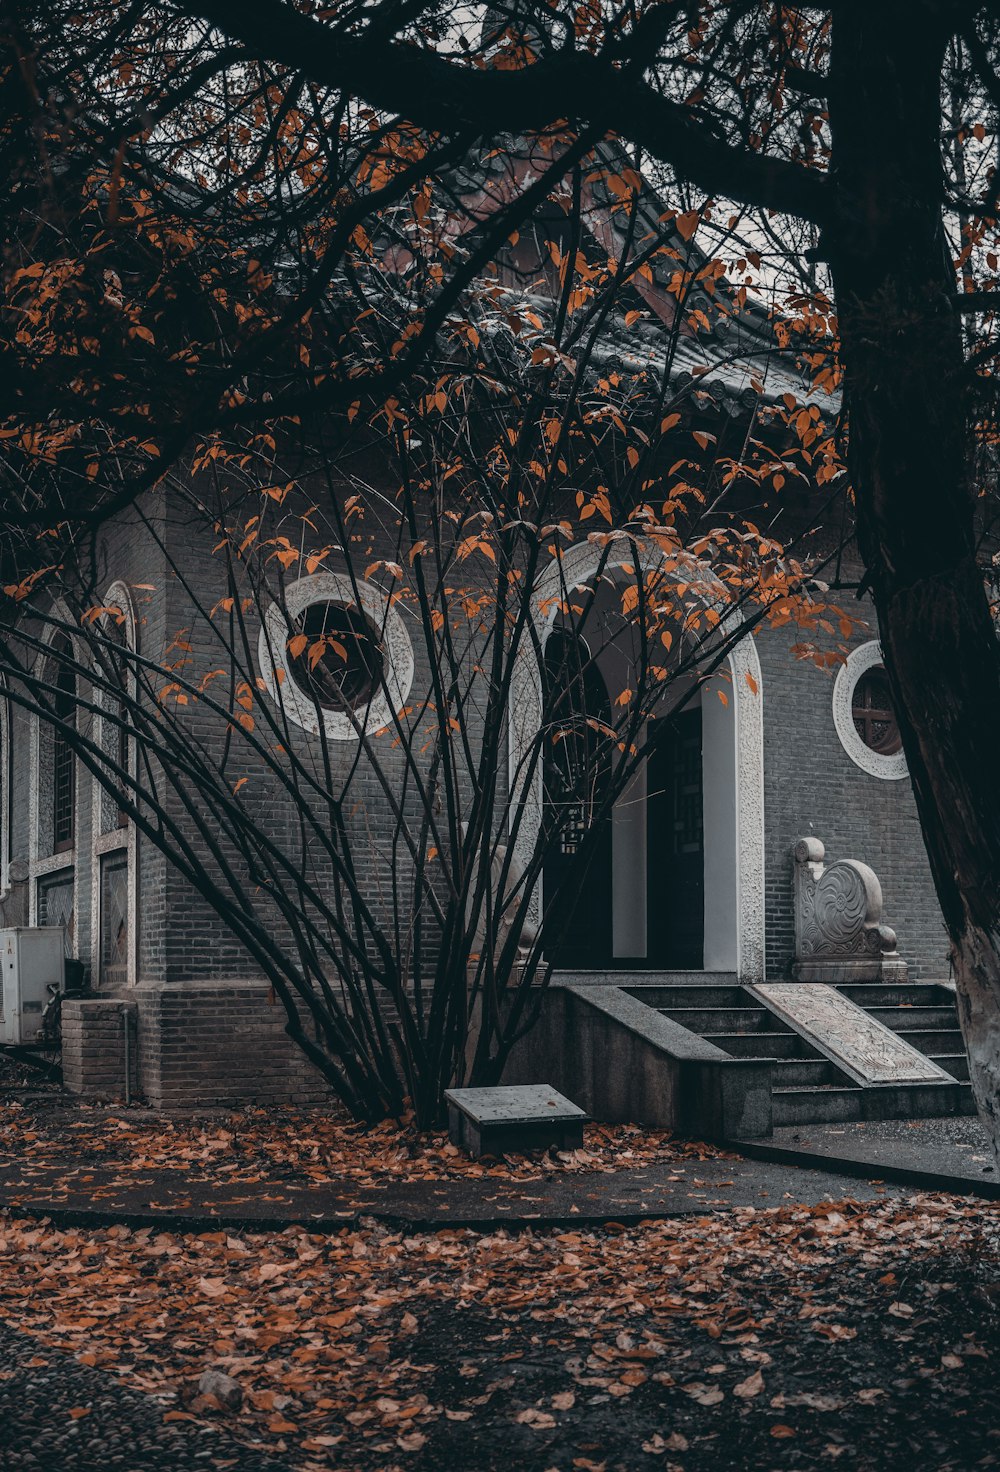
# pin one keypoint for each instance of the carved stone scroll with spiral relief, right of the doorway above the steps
(839, 922)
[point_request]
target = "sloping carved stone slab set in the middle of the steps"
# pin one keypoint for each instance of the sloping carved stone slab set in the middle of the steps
(867, 1050)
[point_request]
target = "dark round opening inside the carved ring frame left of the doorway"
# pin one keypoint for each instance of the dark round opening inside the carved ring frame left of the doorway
(335, 656)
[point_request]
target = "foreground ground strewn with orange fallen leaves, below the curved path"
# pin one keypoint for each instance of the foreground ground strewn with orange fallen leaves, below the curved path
(864, 1336)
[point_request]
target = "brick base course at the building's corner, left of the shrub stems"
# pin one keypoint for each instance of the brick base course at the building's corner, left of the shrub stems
(207, 1044)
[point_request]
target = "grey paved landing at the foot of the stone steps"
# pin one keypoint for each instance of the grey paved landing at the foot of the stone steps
(934, 1155)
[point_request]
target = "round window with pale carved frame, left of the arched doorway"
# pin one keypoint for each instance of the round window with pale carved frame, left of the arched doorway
(337, 654)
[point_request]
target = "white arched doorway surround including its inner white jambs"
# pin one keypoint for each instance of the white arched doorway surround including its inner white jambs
(733, 779)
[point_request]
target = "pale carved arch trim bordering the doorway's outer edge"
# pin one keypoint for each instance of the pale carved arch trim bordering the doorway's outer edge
(572, 570)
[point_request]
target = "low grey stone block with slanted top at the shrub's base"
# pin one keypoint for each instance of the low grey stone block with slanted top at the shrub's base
(529, 1117)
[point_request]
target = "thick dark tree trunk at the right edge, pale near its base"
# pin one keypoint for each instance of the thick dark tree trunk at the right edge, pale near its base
(911, 441)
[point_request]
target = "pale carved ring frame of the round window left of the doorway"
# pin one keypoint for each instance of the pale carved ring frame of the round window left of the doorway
(398, 657)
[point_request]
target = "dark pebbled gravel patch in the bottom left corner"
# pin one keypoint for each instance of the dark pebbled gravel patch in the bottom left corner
(122, 1432)
